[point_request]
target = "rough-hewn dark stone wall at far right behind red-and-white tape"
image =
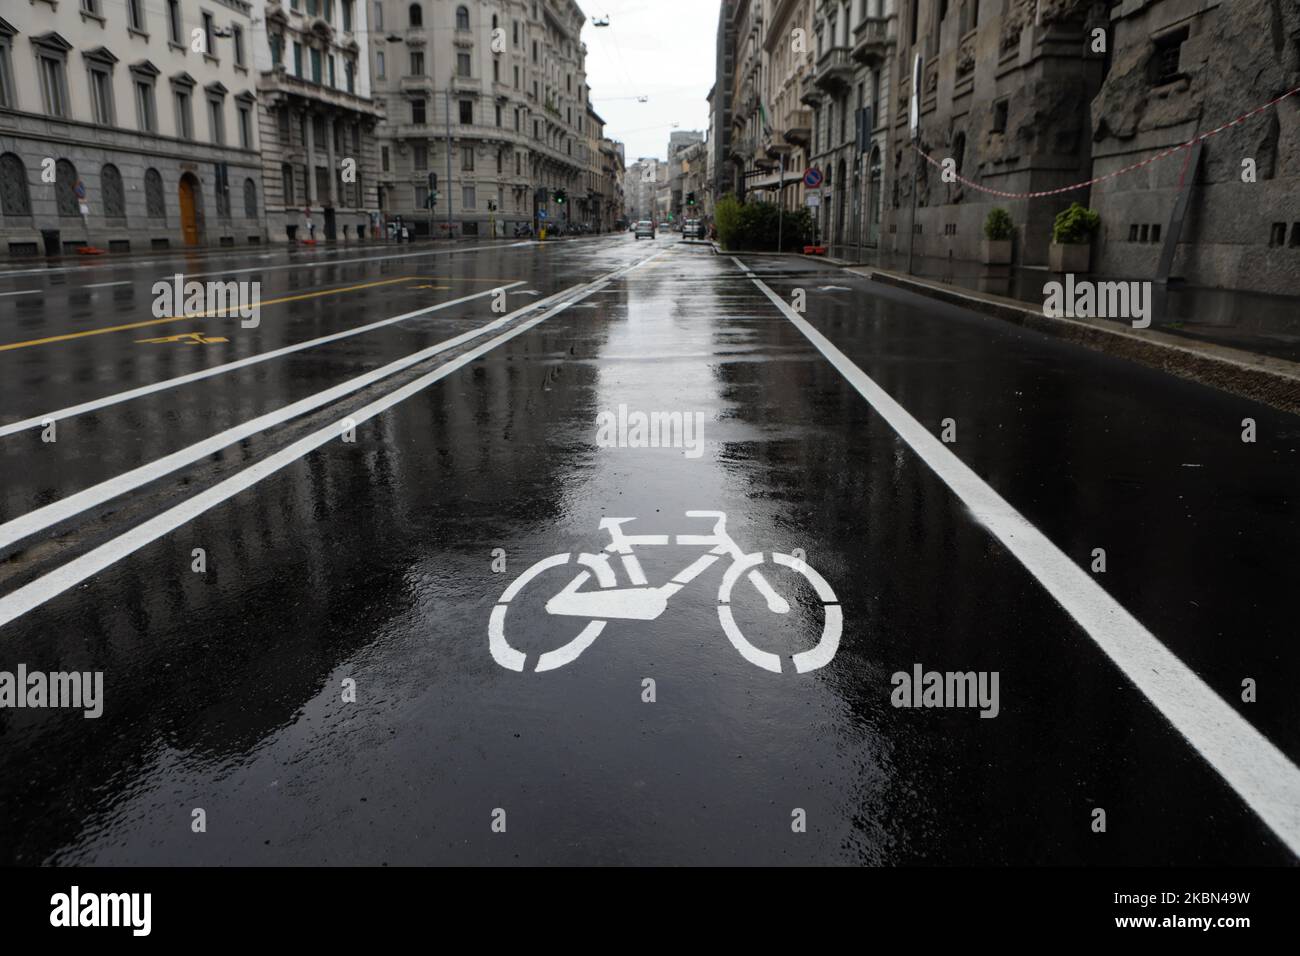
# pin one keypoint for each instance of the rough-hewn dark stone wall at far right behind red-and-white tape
(1181, 68)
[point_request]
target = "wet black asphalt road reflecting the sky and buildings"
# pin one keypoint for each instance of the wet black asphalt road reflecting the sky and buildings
(382, 561)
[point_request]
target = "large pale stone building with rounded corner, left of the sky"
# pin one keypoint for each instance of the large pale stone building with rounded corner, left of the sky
(504, 85)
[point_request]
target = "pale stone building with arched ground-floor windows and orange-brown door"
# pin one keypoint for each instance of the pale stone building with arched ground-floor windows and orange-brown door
(128, 126)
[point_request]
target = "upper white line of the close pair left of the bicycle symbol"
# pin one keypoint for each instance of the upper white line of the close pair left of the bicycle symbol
(62, 511)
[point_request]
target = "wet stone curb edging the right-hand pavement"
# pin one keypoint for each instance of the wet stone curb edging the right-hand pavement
(1260, 378)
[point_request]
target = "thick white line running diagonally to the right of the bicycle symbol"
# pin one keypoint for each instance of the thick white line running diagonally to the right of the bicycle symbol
(1253, 765)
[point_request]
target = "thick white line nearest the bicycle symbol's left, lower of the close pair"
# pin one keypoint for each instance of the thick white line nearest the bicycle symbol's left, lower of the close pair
(36, 594)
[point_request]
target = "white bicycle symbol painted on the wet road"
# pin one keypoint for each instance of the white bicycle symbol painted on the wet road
(644, 603)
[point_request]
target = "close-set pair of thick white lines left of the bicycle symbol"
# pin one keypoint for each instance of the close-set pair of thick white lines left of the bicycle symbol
(76, 572)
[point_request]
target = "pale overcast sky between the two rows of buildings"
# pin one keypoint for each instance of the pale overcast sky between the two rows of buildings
(658, 49)
